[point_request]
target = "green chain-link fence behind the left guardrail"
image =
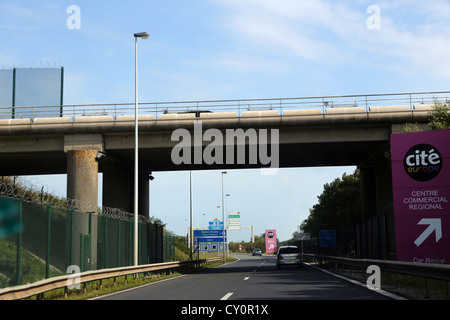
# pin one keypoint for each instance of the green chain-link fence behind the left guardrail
(42, 241)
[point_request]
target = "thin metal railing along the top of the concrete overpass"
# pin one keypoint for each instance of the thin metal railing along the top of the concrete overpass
(155, 108)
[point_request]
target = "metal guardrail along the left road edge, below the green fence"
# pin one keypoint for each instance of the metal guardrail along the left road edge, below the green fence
(39, 287)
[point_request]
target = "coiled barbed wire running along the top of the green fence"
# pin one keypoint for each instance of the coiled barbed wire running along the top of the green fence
(25, 190)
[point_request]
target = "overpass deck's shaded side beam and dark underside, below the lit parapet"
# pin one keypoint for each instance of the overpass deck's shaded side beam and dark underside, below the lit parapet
(298, 147)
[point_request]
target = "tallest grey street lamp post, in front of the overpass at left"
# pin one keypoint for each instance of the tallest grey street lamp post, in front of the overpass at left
(143, 35)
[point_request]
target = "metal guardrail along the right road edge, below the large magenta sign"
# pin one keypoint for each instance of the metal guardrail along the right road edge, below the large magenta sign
(424, 270)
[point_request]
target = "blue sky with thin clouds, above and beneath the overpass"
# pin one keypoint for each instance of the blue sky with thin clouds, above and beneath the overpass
(229, 49)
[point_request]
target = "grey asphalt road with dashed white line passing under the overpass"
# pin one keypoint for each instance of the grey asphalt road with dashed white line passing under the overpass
(248, 279)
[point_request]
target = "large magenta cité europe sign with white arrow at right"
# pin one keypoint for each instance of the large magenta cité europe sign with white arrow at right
(421, 185)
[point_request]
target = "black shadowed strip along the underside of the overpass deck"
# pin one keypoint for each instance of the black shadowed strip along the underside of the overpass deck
(159, 159)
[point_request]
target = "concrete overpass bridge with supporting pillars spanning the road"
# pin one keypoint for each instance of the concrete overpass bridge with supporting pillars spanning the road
(313, 131)
